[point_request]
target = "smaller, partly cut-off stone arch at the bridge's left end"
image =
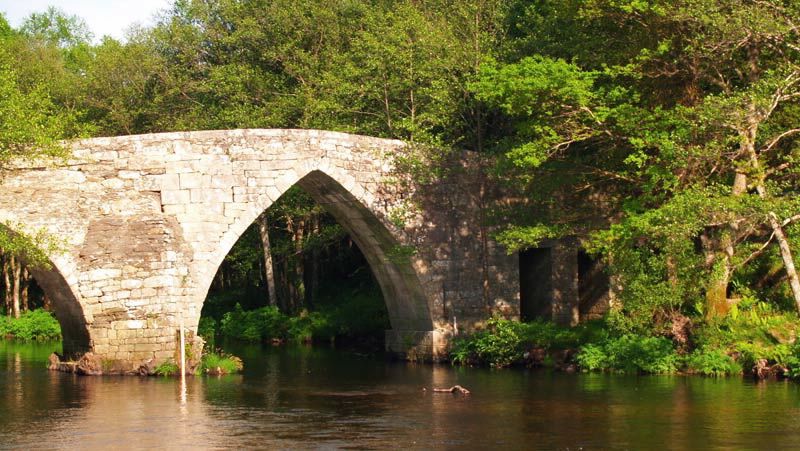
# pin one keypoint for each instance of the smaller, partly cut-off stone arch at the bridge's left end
(53, 279)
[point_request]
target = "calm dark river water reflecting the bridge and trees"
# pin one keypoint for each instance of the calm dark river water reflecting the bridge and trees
(302, 397)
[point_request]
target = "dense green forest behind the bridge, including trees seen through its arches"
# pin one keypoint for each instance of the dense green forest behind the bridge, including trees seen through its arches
(664, 134)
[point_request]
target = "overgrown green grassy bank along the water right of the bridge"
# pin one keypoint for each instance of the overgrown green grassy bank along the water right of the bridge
(751, 339)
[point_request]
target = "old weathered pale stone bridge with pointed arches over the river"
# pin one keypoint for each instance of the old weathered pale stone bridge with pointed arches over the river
(146, 221)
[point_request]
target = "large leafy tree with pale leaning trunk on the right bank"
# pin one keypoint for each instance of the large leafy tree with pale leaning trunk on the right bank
(678, 117)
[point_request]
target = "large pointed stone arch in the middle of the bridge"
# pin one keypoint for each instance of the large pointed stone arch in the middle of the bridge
(402, 291)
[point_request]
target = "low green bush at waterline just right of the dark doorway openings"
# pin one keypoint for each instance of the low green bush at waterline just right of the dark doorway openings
(630, 354)
